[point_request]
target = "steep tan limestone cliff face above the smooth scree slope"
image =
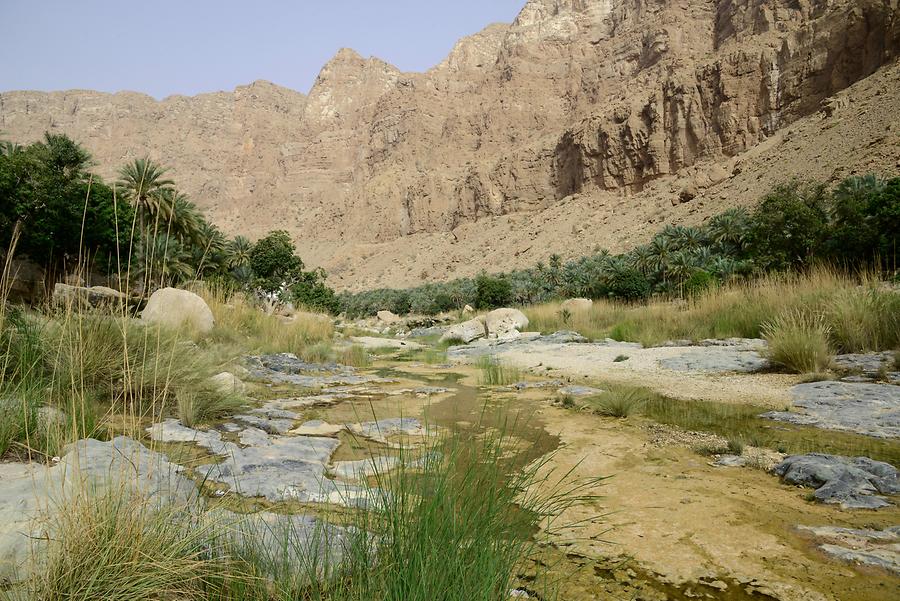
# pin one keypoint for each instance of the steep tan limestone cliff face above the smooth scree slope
(575, 97)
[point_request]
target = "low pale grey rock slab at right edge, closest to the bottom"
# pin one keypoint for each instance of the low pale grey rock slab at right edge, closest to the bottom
(879, 548)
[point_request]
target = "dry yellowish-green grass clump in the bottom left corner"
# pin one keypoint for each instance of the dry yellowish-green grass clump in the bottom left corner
(117, 547)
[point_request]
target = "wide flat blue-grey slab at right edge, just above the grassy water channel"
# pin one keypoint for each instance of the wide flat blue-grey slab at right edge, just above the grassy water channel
(870, 409)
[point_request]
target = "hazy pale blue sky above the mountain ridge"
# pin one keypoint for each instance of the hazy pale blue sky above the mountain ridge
(164, 47)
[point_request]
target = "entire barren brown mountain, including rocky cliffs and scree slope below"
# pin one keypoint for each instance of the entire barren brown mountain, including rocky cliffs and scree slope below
(583, 123)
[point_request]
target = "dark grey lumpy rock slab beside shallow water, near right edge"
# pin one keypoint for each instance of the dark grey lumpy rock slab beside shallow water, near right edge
(854, 483)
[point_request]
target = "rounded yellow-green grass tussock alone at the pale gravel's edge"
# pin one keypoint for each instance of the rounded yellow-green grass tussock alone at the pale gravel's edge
(799, 342)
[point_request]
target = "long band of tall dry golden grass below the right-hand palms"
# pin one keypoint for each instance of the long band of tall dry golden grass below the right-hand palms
(859, 313)
